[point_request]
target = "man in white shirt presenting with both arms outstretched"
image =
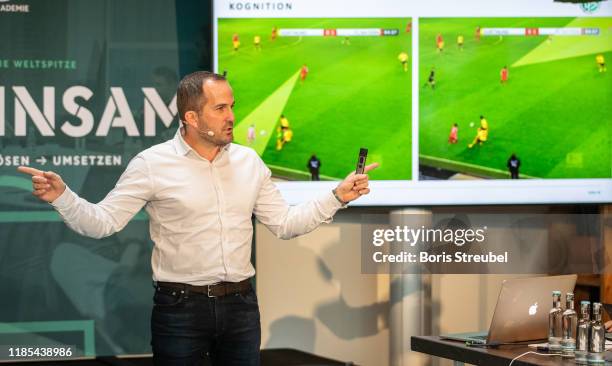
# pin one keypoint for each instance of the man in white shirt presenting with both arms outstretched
(200, 192)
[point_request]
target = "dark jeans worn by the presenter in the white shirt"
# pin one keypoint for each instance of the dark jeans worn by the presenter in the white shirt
(194, 329)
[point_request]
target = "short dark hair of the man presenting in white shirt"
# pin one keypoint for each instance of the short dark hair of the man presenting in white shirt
(190, 93)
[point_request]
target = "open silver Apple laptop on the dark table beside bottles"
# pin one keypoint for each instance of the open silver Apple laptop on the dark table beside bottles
(521, 312)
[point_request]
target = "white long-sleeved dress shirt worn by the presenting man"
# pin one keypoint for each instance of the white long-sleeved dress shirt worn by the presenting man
(200, 211)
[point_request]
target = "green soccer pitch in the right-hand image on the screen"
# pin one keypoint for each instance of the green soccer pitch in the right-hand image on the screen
(555, 112)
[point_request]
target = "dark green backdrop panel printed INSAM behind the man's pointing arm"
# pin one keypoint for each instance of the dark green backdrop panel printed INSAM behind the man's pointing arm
(84, 87)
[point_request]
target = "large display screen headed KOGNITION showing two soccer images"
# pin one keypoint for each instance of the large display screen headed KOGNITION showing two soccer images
(474, 104)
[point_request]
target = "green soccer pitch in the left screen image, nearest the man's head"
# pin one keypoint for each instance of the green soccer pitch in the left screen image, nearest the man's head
(356, 94)
